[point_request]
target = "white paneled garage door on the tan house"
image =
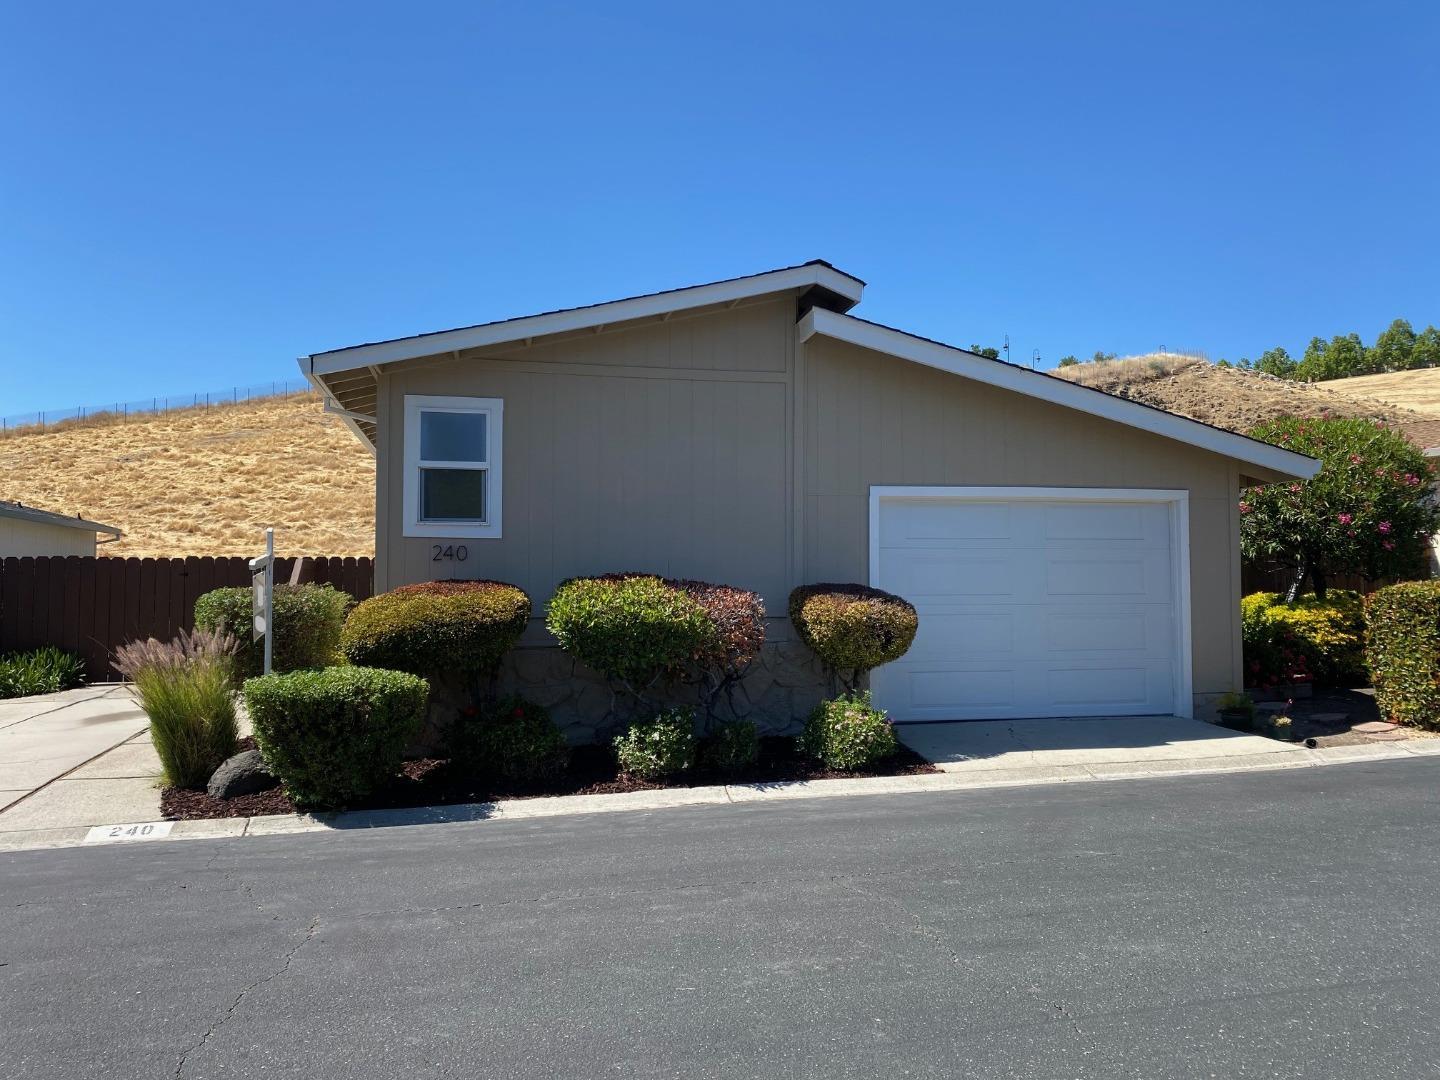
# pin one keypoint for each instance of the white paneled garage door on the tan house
(1030, 607)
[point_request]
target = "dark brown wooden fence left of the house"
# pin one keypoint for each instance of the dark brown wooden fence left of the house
(90, 606)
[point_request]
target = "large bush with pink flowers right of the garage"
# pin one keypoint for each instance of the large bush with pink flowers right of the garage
(1367, 512)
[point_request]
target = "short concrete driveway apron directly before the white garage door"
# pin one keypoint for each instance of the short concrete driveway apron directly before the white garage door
(1089, 742)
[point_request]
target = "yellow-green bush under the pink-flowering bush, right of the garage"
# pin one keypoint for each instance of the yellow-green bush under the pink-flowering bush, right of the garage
(1310, 639)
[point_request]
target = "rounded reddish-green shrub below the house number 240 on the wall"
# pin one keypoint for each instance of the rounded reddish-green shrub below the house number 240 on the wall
(437, 627)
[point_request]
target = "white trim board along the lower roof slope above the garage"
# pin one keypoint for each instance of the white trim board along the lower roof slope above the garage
(1056, 391)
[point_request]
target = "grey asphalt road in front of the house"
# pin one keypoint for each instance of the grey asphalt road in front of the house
(1262, 925)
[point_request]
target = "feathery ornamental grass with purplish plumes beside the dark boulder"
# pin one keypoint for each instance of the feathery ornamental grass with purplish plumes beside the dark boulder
(188, 690)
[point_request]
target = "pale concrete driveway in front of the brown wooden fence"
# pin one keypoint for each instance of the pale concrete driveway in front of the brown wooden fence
(71, 757)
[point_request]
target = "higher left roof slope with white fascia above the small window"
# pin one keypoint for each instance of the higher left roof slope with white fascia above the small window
(349, 377)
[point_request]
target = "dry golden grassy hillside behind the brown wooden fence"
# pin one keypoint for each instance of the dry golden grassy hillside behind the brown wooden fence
(205, 482)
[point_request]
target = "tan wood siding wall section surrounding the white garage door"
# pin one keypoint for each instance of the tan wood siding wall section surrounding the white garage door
(872, 420)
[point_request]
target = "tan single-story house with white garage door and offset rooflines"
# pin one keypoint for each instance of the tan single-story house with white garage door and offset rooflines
(1069, 552)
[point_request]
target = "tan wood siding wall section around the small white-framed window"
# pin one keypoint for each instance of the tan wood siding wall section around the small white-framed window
(617, 462)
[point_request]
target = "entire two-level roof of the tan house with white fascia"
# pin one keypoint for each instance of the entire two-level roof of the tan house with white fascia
(349, 378)
